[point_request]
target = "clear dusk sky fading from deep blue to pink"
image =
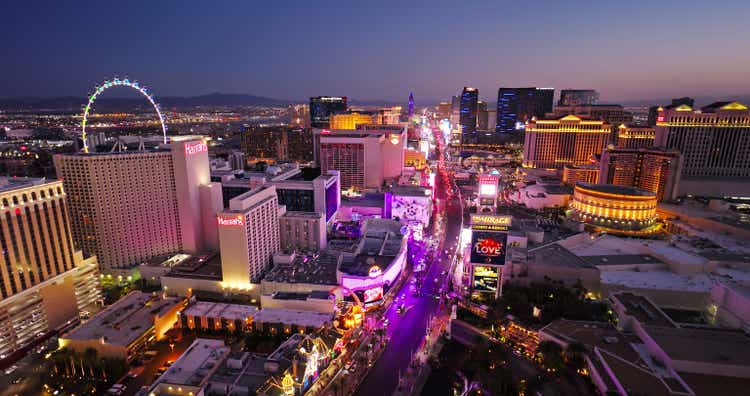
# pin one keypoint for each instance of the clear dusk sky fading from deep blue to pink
(627, 50)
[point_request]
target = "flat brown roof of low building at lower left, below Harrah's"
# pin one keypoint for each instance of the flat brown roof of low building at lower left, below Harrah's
(124, 321)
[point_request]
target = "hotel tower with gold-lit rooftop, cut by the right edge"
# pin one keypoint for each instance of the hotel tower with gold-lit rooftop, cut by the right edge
(715, 143)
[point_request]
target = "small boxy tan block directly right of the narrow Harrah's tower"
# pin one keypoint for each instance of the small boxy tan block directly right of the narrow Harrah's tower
(303, 231)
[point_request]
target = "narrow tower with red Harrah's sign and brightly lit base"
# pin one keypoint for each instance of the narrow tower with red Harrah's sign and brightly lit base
(249, 235)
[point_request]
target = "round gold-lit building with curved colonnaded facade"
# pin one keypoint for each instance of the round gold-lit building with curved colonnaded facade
(614, 208)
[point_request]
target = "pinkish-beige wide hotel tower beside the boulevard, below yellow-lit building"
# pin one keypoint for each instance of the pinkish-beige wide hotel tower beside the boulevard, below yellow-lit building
(365, 158)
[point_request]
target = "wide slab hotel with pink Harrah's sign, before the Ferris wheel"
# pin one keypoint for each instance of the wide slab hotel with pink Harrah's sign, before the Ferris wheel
(127, 207)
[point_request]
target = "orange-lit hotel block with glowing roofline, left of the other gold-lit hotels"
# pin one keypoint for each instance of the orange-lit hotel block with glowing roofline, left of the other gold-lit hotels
(569, 140)
